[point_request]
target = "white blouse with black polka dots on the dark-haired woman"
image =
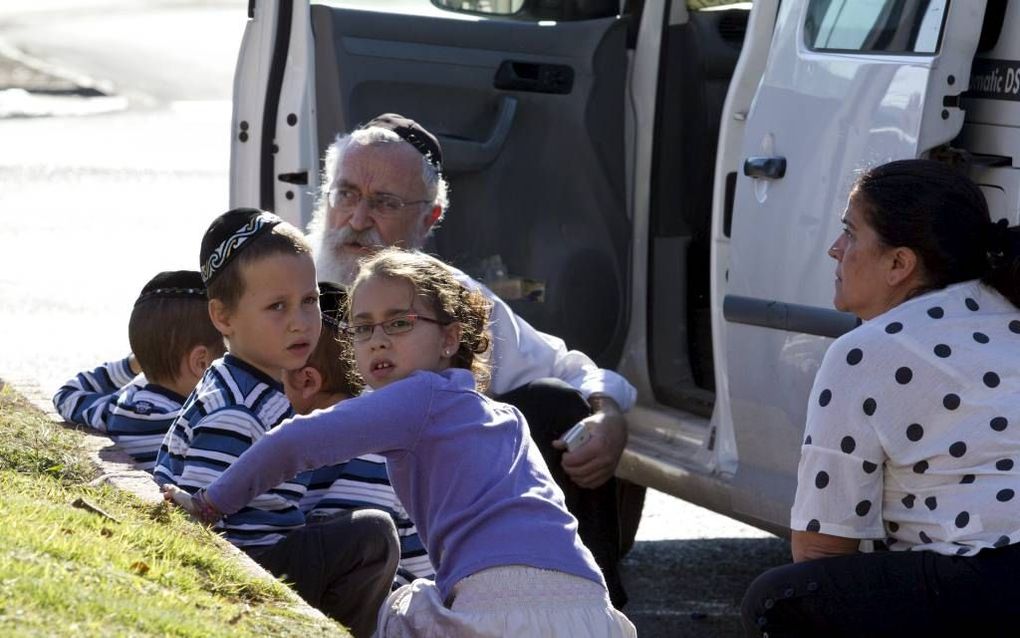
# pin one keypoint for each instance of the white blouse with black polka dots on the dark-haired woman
(913, 433)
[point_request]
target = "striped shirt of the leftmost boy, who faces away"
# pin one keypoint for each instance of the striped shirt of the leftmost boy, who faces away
(135, 414)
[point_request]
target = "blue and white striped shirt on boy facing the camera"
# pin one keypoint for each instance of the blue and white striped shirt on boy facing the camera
(233, 407)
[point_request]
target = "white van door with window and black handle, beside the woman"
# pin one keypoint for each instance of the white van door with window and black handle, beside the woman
(849, 84)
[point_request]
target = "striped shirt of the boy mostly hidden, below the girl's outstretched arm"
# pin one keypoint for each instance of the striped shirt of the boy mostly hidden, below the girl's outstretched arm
(364, 482)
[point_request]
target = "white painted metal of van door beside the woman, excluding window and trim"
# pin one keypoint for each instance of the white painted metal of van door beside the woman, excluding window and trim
(826, 115)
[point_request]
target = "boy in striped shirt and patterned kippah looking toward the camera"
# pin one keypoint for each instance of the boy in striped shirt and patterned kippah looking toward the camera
(264, 299)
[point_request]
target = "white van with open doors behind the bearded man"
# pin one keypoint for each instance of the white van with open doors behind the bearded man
(654, 183)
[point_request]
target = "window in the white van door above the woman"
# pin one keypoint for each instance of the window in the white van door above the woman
(876, 26)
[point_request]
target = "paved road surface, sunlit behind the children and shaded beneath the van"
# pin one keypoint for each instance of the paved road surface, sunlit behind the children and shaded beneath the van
(106, 190)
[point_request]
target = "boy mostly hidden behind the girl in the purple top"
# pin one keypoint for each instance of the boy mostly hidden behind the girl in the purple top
(362, 482)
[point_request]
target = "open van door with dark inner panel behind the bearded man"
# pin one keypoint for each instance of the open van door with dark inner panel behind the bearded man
(530, 116)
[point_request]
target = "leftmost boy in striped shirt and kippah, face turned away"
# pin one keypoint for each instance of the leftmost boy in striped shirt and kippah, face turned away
(136, 400)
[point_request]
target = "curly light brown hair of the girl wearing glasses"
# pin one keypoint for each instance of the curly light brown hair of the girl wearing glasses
(435, 283)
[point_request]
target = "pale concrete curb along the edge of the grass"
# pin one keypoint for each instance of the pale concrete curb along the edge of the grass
(119, 472)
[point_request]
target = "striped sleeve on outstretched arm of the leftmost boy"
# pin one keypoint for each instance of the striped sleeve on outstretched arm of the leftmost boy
(88, 398)
